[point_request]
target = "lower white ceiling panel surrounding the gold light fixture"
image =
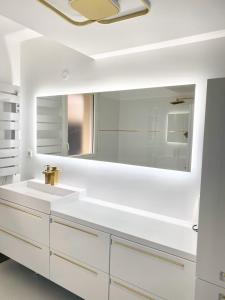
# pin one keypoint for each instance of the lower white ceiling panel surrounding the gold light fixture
(169, 20)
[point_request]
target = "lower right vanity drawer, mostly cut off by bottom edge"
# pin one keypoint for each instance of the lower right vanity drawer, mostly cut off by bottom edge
(120, 290)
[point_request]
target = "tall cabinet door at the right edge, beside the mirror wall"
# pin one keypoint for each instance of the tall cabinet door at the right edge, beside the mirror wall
(211, 242)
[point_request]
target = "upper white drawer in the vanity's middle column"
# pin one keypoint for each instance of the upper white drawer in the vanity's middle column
(81, 243)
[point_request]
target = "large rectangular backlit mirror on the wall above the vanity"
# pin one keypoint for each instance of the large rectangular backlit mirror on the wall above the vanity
(147, 127)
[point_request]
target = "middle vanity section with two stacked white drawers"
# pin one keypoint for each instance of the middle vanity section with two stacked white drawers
(79, 259)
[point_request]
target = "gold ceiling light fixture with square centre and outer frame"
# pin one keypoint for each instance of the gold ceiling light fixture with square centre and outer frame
(100, 11)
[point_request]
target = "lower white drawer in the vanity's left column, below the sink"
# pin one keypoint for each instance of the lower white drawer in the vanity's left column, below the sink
(25, 252)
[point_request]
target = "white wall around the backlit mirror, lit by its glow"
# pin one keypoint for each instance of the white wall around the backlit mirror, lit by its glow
(171, 193)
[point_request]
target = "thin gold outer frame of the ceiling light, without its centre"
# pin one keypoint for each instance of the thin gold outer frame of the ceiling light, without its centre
(132, 15)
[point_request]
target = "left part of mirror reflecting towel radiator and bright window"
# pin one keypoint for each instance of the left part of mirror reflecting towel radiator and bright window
(65, 125)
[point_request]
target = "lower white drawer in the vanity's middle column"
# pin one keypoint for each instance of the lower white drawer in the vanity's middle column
(80, 279)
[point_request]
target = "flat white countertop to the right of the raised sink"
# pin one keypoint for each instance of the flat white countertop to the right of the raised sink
(172, 238)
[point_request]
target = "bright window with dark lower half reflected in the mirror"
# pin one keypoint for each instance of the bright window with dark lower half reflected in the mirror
(80, 124)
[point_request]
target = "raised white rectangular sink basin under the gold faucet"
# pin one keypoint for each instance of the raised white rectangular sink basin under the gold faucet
(39, 196)
